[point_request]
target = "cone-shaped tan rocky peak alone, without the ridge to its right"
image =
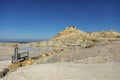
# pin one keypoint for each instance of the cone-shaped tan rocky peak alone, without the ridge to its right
(73, 37)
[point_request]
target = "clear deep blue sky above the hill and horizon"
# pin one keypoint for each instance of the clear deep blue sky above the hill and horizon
(43, 19)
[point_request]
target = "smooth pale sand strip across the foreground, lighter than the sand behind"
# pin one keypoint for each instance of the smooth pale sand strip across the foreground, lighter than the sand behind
(67, 71)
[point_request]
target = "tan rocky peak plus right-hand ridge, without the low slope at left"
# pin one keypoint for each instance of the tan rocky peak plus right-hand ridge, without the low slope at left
(73, 36)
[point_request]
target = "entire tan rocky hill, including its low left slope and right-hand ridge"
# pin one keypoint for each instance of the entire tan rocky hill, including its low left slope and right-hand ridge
(72, 36)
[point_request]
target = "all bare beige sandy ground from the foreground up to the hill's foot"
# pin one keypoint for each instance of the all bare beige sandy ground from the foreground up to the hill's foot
(99, 63)
